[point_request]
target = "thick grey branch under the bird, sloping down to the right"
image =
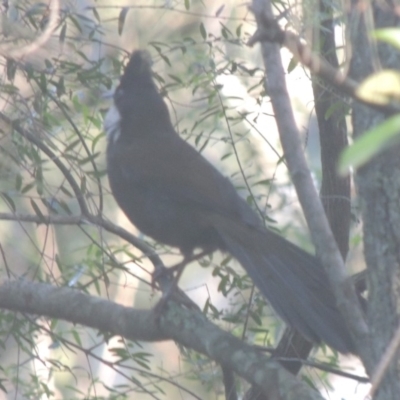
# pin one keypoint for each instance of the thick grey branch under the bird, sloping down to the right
(188, 327)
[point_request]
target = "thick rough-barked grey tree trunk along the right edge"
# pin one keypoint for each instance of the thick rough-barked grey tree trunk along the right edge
(378, 186)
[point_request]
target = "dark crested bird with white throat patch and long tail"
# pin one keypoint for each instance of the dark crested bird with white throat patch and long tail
(172, 194)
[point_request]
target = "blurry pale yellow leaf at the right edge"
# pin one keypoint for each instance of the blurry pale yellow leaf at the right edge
(381, 87)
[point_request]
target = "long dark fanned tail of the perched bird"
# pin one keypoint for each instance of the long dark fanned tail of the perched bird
(293, 281)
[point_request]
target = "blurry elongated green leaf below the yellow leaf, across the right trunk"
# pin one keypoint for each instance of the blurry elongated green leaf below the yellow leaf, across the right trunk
(370, 144)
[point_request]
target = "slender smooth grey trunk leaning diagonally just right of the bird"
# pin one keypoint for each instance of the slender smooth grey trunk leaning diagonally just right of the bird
(307, 194)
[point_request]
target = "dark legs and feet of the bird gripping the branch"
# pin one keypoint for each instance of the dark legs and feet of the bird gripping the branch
(168, 283)
